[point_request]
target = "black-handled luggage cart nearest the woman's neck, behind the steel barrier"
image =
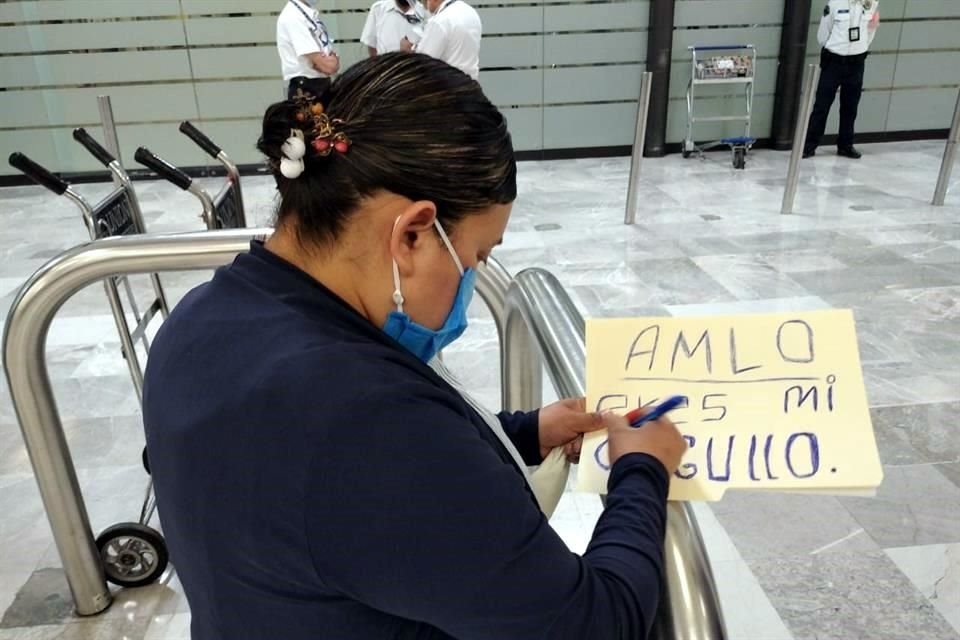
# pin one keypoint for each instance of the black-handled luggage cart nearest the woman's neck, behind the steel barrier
(223, 211)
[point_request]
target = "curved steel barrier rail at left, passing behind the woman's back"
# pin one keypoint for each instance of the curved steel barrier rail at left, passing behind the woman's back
(24, 346)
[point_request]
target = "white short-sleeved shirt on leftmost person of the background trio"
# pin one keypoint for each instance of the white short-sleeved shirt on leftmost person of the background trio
(300, 32)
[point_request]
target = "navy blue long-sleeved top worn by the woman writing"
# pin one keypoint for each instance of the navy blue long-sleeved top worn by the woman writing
(315, 480)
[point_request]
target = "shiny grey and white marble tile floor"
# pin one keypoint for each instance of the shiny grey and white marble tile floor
(707, 240)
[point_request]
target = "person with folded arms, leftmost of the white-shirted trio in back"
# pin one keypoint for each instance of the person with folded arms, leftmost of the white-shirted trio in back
(307, 58)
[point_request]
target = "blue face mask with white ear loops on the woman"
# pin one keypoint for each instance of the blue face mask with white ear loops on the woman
(419, 340)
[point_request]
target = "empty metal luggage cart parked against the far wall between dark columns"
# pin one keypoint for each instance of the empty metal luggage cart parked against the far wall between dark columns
(736, 66)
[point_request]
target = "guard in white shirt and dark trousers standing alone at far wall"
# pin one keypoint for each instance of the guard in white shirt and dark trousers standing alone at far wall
(846, 31)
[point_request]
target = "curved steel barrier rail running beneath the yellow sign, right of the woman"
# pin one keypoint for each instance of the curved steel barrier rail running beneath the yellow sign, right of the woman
(538, 304)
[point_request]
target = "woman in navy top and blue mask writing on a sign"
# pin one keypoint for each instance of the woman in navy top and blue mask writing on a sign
(316, 478)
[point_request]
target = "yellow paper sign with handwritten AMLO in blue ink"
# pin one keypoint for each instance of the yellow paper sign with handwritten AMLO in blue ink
(774, 401)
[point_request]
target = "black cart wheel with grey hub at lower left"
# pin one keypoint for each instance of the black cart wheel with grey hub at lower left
(132, 554)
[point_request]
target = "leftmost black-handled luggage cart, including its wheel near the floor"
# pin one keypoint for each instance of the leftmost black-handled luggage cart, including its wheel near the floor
(133, 554)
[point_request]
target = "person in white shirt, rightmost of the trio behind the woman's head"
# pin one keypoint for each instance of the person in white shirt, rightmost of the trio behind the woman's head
(452, 35)
